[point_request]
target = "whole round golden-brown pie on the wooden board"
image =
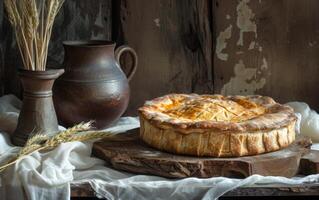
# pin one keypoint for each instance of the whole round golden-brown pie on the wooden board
(215, 125)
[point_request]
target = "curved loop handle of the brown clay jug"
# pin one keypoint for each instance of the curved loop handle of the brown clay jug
(118, 53)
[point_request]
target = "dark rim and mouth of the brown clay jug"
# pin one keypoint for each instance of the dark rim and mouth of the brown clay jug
(89, 43)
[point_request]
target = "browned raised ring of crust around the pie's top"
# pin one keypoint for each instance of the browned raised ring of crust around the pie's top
(276, 116)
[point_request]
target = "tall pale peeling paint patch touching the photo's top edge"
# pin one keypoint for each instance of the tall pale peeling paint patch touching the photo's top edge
(245, 21)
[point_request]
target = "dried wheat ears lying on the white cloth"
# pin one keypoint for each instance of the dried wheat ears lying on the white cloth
(38, 142)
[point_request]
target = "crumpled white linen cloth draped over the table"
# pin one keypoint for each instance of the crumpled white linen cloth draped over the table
(49, 175)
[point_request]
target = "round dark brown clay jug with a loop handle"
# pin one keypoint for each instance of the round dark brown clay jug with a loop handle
(93, 86)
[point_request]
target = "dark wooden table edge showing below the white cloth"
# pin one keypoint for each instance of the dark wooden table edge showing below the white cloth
(309, 190)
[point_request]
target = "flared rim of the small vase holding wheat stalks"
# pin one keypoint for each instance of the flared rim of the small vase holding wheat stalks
(47, 74)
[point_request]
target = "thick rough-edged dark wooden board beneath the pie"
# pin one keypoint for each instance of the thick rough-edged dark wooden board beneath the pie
(127, 152)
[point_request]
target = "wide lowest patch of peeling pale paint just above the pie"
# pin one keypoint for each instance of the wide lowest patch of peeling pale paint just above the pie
(244, 82)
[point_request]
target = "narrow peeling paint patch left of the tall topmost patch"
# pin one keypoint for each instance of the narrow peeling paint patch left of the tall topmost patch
(221, 43)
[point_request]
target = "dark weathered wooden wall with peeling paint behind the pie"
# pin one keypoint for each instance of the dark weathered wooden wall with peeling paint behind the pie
(180, 42)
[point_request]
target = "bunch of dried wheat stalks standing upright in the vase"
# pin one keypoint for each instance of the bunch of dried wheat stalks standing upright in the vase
(32, 21)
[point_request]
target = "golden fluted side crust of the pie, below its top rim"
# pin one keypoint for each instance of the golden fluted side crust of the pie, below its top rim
(215, 143)
